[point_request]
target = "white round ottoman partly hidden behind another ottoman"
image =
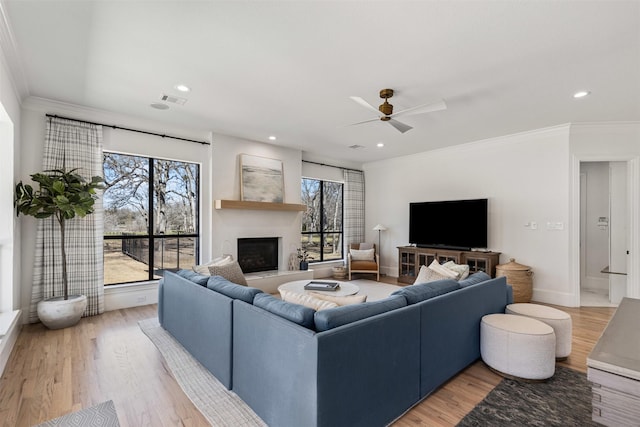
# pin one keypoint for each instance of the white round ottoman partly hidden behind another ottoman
(557, 319)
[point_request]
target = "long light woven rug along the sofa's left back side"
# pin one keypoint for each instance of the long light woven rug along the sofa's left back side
(219, 406)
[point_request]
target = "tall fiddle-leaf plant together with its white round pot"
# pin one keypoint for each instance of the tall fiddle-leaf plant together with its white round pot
(63, 195)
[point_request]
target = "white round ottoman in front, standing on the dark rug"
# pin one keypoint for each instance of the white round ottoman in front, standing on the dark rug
(518, 346)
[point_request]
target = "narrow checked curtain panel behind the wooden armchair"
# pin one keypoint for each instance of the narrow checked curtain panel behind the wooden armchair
(353, 207)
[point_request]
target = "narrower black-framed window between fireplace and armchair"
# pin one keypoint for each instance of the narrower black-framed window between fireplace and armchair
(322, 222)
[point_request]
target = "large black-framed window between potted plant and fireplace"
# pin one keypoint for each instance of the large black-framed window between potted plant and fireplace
(151, 217)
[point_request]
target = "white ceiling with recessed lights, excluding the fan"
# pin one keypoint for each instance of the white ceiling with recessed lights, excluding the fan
(285, 68)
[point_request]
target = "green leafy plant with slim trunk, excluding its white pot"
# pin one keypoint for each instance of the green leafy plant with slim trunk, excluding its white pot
(62, 194)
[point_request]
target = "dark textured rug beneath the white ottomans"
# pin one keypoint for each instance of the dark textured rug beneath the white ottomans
(564, 400)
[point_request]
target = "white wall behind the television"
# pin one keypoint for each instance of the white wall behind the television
(524, 176)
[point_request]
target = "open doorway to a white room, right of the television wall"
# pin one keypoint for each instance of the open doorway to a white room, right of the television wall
(604, 225)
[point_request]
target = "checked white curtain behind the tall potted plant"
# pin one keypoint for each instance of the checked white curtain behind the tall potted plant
(69, 145)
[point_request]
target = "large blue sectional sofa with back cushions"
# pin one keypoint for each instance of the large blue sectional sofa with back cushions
(359, 365)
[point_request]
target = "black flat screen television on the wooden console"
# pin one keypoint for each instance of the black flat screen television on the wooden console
(453, 224)
